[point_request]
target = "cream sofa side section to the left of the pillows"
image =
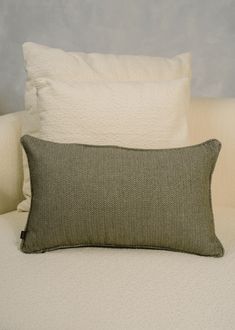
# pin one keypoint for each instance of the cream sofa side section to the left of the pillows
(11, 171)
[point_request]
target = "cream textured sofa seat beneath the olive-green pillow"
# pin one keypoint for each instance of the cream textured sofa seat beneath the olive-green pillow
(104, 288)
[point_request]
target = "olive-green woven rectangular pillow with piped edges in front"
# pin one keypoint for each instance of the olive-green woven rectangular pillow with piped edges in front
(108, 196)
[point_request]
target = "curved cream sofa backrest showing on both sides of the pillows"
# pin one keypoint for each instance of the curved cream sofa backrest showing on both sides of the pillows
(208, 118)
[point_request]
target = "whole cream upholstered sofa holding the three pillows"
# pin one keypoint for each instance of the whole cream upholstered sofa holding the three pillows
(93, 288)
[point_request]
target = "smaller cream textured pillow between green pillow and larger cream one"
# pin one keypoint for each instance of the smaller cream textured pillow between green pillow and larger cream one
(146, 115)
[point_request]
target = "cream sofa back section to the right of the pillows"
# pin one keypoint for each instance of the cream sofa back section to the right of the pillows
(216, 118)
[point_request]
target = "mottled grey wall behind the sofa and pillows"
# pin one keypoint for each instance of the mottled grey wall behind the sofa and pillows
(153, 27)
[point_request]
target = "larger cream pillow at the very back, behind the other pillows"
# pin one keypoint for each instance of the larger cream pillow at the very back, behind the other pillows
(45, 62)
